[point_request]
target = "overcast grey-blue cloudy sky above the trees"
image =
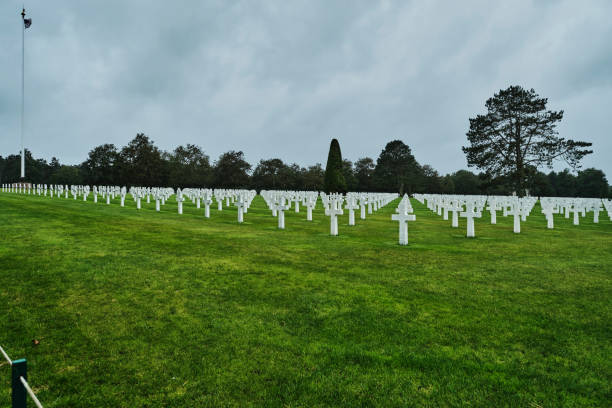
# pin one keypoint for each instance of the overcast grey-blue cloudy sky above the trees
(282, 78)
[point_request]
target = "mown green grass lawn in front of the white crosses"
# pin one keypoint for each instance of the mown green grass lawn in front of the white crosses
(145, 309)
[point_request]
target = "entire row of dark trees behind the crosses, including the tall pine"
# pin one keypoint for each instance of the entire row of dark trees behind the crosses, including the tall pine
(509, 144)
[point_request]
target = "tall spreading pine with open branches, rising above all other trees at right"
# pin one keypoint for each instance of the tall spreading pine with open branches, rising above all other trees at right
(518, 132)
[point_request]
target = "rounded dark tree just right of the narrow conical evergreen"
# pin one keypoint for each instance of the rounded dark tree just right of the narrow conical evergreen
(396, 169)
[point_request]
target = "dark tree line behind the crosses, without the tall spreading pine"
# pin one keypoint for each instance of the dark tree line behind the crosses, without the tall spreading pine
(141, 163)
